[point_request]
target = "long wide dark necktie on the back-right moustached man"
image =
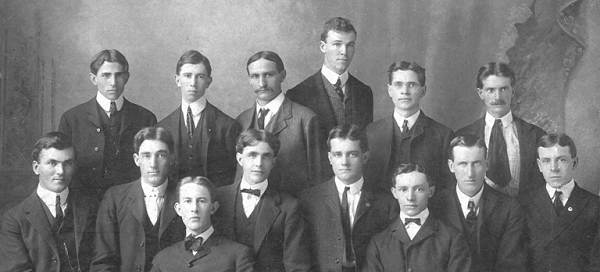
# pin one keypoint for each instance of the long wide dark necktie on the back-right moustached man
(499, 171)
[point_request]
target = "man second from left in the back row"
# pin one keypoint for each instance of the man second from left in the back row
(204, 136)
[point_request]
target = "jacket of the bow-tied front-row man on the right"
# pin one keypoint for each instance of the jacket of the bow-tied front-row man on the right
(436, 247)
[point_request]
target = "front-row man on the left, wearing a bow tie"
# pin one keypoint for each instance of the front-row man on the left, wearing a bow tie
(202, 249)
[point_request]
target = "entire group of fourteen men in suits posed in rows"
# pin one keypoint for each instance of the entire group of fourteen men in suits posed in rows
(301, 181)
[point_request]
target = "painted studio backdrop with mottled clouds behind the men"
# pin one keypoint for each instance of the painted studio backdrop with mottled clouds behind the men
(46, 47)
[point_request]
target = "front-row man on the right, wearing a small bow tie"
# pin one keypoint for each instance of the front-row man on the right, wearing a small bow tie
(416, 241)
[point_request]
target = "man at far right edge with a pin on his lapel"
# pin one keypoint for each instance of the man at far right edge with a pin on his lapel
(563, 221)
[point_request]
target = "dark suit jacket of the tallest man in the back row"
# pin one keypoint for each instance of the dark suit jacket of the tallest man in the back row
(312, 93)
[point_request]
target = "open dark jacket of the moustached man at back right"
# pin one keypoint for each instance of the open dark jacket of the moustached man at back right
(530, 177)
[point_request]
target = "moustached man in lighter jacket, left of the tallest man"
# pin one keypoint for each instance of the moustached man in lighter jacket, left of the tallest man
(296, 127)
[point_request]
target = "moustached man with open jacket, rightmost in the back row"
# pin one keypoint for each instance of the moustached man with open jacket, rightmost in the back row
(510, 140)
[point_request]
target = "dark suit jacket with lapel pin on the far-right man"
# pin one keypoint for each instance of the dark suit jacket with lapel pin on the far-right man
(568, 242)
